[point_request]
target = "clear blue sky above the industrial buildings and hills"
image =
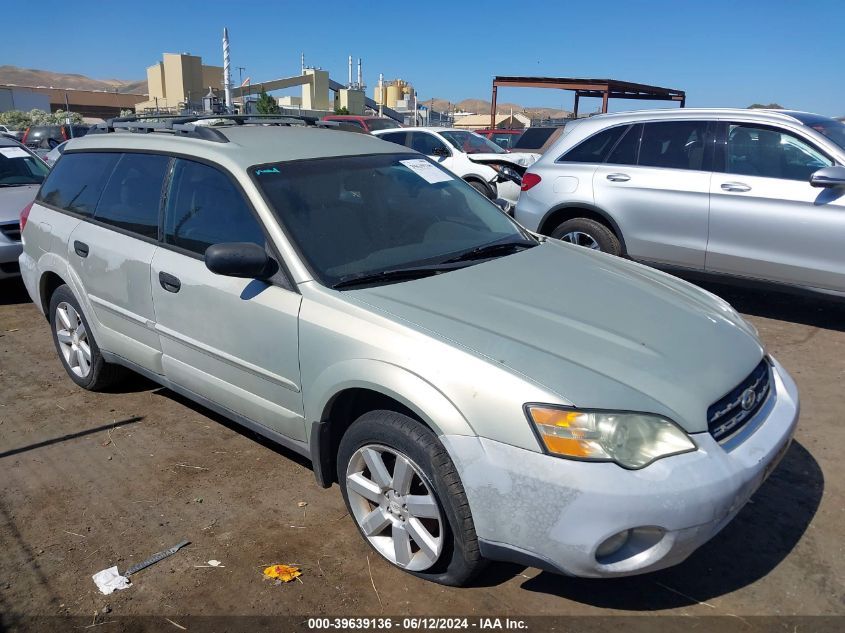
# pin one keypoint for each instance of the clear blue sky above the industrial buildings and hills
(722, 53)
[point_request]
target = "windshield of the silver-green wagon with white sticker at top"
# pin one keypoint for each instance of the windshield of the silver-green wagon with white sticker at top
(361, 215)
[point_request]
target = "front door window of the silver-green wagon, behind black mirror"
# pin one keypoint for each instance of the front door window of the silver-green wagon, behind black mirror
(204, 207)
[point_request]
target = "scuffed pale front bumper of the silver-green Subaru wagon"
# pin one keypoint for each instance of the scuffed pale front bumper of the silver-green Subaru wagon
(555, 513)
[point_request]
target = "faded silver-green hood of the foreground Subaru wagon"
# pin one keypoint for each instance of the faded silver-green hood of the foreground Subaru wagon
(599, 331)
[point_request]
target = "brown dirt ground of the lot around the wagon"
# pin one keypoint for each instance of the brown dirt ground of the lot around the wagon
(81, 493)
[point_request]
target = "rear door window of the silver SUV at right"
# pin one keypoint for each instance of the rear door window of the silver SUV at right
(673, 144)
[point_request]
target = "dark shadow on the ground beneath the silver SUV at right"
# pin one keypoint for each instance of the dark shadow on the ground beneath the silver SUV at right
(814, 310)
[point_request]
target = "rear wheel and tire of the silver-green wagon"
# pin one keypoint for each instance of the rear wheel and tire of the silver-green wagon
(78, 351)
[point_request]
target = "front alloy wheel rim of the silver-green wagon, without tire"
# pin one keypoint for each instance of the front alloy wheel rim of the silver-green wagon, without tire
(394, 507)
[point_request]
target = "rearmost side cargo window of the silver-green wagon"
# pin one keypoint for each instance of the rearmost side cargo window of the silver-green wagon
(76, 182)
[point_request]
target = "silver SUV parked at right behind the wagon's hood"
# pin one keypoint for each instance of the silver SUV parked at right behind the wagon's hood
(753, 194)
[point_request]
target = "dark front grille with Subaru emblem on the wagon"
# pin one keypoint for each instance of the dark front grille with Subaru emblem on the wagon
(730, 413)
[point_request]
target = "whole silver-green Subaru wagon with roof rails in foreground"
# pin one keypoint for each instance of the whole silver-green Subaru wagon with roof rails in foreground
(477, 393)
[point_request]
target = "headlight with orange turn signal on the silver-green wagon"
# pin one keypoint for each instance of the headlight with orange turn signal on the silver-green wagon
(632, 440)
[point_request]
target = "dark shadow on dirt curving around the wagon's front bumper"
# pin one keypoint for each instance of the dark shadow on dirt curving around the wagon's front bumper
(750, 547)
